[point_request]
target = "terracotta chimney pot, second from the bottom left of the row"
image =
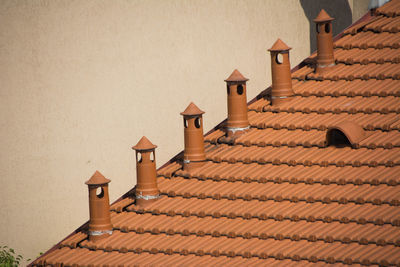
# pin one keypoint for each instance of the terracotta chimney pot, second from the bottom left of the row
(146, 186)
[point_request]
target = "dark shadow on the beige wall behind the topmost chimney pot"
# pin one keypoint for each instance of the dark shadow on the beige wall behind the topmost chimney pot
(339, 10)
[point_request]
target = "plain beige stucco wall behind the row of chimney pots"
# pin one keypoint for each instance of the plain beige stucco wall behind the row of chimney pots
(82, 81)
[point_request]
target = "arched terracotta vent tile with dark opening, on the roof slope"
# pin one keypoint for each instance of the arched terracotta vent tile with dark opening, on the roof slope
(346, 133)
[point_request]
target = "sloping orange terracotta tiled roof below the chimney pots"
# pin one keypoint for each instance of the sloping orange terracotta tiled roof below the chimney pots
(278, 194)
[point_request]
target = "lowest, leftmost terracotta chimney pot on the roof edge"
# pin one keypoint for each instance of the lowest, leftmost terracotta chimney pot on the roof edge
(99, 207)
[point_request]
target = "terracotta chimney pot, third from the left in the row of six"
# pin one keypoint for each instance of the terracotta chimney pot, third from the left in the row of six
(194, 155)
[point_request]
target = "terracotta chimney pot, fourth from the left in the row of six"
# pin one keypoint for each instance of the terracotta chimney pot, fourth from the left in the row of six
(237, 103)
